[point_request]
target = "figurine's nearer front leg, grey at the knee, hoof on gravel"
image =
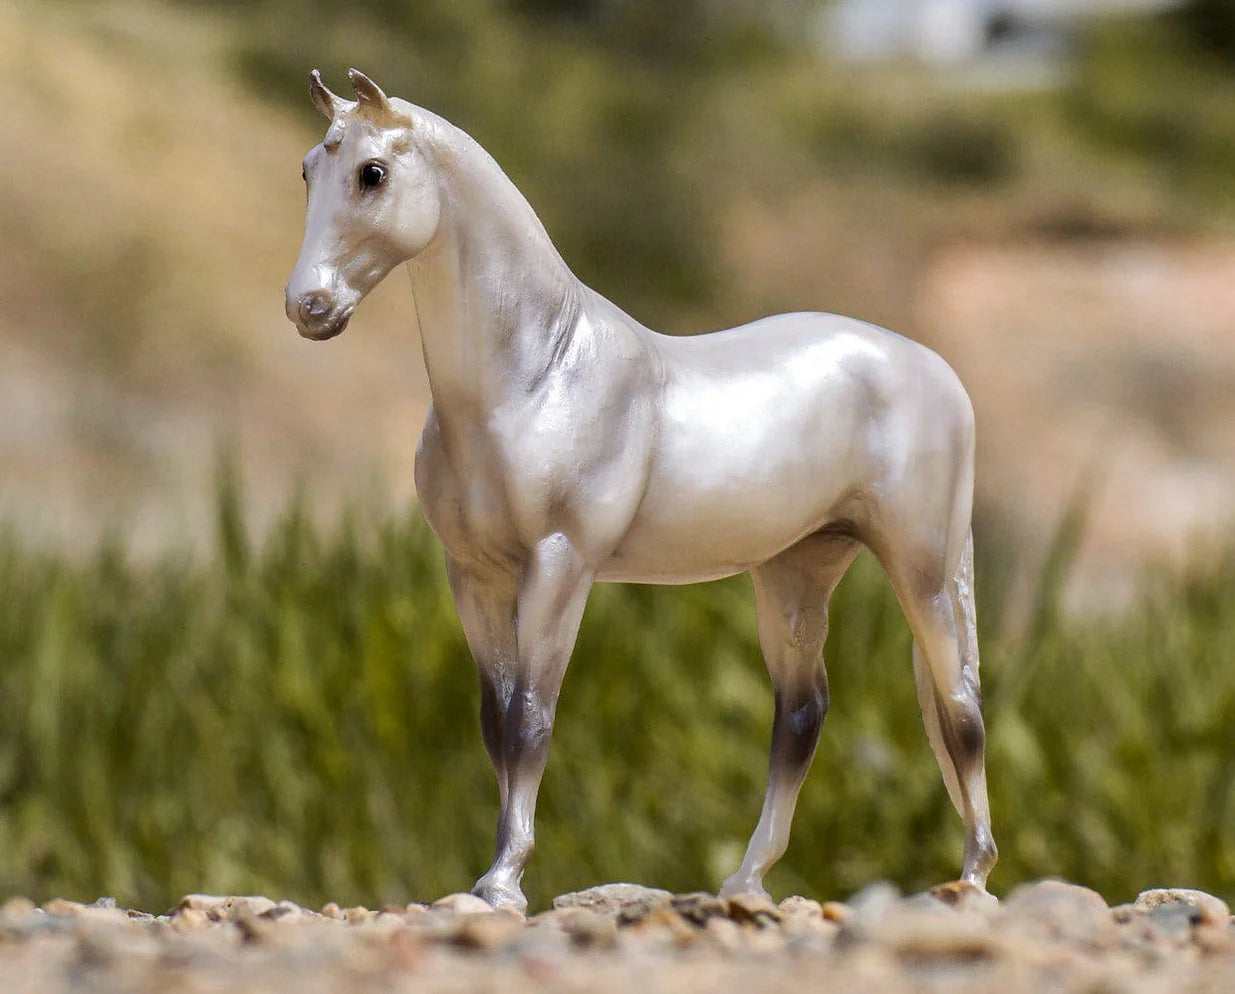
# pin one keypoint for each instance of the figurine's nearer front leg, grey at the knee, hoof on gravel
(551, 596)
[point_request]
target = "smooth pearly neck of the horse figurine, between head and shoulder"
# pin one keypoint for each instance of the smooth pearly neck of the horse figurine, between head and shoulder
(497, 304)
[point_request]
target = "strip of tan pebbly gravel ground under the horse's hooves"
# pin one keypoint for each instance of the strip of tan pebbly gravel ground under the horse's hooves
(1049, 937)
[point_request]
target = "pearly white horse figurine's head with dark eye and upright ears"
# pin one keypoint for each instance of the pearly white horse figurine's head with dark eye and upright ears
(374, 203)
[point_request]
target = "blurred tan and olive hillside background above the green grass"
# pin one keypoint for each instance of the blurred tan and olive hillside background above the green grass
(1040, 190)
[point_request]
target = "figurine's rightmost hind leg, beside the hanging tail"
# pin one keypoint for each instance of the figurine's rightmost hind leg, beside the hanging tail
(944, 622)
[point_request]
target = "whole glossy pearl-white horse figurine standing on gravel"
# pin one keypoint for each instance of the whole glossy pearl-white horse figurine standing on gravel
(567, 444)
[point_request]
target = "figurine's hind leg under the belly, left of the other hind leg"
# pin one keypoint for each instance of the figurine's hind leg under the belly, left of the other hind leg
(791, 596)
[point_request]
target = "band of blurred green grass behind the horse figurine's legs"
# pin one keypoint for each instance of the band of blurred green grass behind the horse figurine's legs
(299, 718)
